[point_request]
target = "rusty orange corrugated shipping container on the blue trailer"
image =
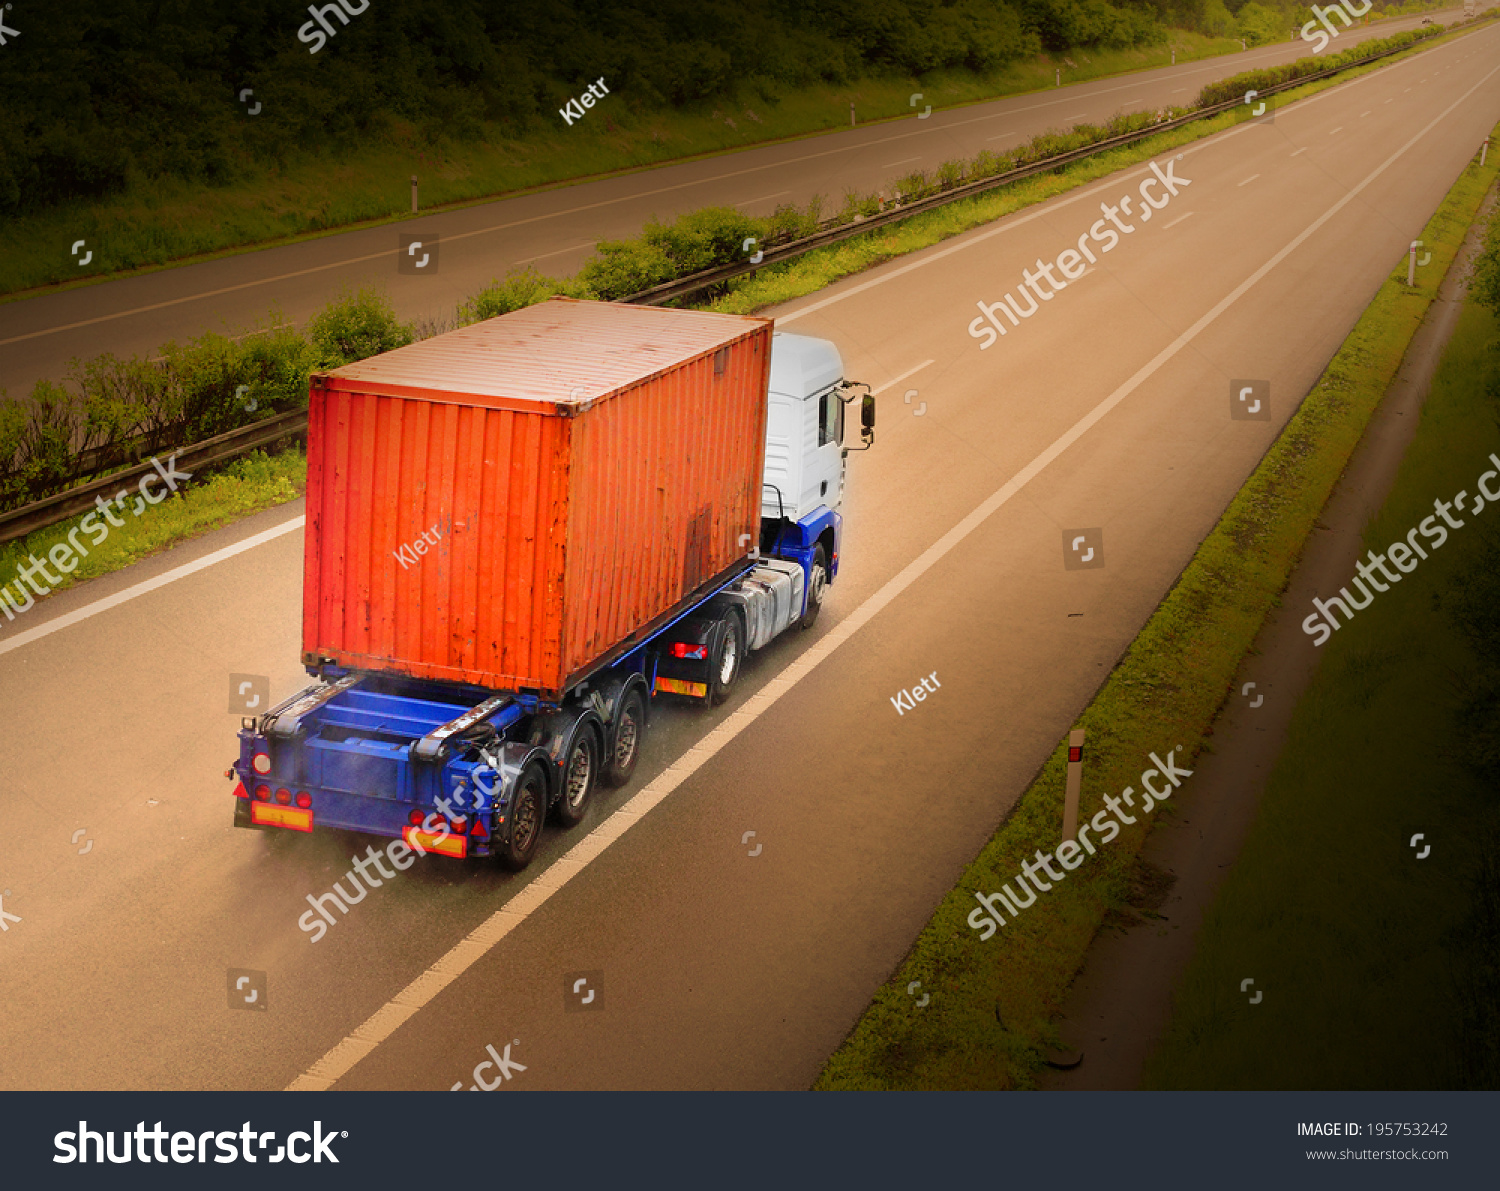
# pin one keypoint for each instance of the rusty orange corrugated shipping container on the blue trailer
(514, 503)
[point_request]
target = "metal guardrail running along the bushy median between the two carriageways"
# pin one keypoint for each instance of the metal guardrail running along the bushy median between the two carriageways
(214, 451)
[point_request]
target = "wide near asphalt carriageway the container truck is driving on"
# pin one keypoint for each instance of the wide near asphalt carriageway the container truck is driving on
(1106, 410)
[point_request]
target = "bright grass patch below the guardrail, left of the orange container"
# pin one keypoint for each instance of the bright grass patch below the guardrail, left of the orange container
(236, 491)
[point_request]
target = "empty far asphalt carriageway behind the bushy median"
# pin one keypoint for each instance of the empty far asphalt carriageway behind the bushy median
(556, 230)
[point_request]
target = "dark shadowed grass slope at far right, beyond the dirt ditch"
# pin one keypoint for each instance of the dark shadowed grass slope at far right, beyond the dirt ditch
(1351, 938)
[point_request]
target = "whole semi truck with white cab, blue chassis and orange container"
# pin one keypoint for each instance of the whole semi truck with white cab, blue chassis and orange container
(520, 536)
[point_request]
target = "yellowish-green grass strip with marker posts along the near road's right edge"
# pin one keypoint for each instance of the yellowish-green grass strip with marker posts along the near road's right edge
(994, 1004)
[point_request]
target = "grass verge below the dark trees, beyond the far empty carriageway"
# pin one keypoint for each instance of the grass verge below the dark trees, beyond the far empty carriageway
(163, 221)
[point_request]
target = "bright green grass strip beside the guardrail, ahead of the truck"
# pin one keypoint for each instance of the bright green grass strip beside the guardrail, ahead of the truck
(823, 268)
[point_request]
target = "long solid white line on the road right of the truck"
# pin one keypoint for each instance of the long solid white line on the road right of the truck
(386, 1021)
